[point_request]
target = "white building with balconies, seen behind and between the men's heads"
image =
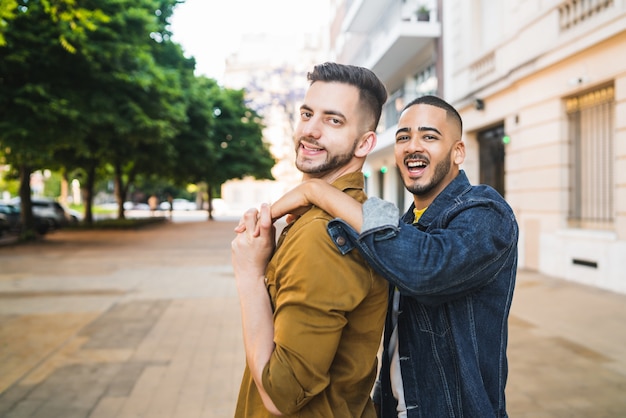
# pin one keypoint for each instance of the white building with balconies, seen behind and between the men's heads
(400, 41)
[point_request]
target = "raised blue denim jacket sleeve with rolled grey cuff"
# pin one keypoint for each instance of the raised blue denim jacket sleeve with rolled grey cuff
(461, 252)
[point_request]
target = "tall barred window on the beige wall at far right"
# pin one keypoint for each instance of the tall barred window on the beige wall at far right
(591, 125)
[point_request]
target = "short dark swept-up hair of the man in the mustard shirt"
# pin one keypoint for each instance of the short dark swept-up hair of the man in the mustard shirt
(372, 92)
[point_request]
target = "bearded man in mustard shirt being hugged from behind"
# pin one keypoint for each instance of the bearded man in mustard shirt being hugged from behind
(313, 316)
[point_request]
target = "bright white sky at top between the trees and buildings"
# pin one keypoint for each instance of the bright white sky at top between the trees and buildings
(210, 30)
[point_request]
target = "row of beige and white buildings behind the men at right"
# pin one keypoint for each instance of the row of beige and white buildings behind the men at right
(541, 87)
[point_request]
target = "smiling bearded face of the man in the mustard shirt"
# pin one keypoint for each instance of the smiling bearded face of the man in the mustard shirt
(331, 139)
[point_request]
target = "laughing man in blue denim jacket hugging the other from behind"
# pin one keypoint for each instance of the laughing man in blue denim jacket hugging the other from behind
(451, 262)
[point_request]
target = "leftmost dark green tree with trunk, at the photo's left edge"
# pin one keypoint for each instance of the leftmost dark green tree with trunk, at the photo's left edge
(39, 40)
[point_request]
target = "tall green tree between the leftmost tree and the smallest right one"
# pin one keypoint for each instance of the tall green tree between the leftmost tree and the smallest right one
(137, 70)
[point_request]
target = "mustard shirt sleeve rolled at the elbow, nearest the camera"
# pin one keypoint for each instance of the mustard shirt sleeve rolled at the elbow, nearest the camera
(317, 286)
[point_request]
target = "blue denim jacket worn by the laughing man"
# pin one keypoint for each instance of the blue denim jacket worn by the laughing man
(455, 270)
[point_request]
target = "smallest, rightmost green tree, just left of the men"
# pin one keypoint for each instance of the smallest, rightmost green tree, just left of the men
(221, 140)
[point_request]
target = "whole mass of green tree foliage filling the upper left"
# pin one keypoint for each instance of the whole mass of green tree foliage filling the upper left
(101, 90)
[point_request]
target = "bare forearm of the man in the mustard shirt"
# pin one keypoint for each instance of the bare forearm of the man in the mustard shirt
(258, 335)
